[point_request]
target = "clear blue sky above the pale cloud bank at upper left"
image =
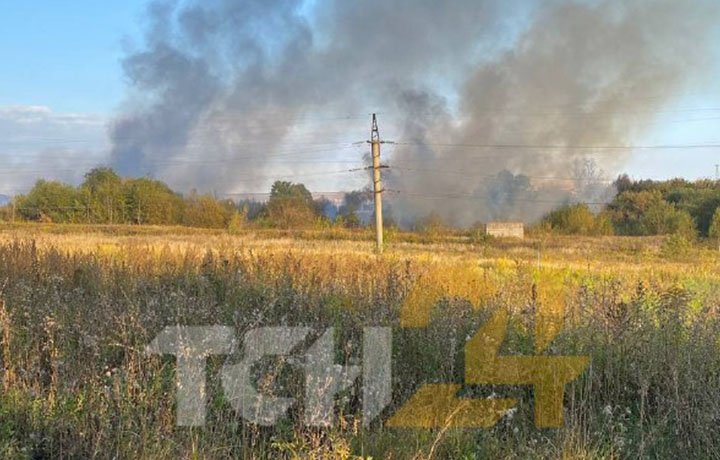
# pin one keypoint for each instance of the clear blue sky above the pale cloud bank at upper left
(65, 54)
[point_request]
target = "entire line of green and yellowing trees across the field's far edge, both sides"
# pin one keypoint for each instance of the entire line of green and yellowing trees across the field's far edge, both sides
(645, 207)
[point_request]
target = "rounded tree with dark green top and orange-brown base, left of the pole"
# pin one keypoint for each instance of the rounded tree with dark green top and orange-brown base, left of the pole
(291, 205)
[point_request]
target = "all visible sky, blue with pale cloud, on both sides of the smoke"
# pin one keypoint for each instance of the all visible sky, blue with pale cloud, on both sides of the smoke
(61, 82)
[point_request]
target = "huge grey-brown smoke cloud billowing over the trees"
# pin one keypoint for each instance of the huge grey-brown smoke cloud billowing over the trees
(233, 80)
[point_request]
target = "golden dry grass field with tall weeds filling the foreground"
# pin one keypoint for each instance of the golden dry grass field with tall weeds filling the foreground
(79, 304)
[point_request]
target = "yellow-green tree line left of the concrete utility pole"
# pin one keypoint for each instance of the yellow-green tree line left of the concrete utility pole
(104, 197)
